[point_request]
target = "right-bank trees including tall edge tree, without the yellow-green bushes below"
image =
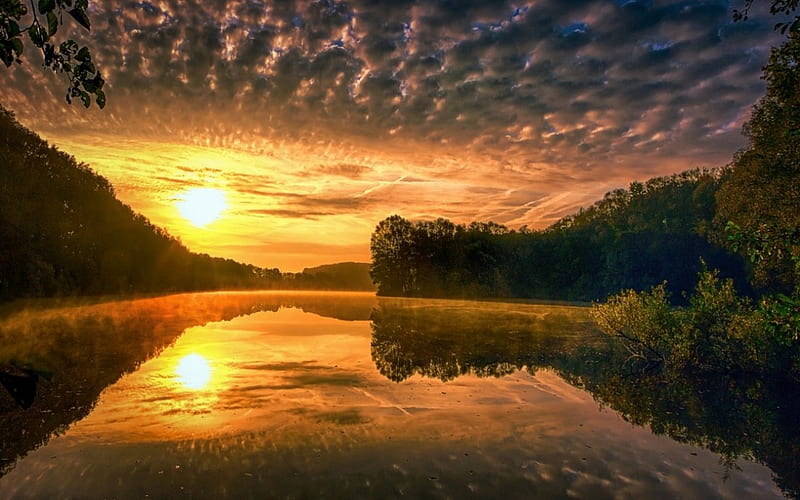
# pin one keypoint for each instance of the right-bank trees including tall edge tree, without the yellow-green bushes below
(742, 220)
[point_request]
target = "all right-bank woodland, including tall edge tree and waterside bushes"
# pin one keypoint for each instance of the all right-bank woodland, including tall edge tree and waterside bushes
(722, 245)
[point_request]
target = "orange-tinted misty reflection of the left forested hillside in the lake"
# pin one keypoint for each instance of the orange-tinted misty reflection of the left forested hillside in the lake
(75, 351)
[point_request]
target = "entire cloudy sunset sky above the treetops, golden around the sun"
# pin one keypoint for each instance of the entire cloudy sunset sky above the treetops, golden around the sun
(314, 120)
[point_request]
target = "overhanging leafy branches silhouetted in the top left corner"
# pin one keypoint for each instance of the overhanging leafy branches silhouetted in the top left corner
(67, 57)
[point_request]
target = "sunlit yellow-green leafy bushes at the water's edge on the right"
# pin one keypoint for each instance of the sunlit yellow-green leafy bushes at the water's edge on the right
(718, 332)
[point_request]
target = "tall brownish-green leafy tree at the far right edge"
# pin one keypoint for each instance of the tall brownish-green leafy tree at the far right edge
(758, 198)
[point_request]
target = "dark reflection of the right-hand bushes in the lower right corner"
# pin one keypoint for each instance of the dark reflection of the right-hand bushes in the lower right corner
(741, 417)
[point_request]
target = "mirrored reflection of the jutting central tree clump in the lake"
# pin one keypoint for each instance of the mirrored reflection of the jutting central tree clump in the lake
(449, 341)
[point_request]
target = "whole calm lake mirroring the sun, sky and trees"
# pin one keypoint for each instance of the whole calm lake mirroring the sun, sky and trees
(346, 395)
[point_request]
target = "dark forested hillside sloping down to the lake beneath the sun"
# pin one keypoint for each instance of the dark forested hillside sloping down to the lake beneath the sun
(64, 232)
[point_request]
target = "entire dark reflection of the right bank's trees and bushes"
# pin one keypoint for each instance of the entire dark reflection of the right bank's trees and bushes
(741, 417)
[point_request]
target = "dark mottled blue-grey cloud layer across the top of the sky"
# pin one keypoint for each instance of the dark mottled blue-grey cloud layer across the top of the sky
(464, 72)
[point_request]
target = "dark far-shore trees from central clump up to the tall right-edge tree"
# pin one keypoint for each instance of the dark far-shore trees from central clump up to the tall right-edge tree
(634, 238)
